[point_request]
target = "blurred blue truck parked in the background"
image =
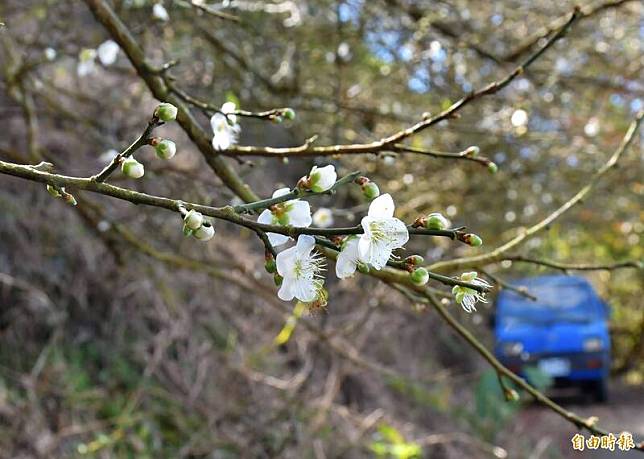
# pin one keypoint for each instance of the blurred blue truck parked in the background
(564, 332)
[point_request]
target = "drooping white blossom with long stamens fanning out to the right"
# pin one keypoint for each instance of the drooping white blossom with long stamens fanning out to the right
(301, 270)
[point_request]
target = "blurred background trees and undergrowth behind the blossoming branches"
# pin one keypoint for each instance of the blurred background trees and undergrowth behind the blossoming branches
(120, 338)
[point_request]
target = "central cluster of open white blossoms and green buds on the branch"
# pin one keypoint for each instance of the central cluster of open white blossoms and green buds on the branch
(298, 270)
